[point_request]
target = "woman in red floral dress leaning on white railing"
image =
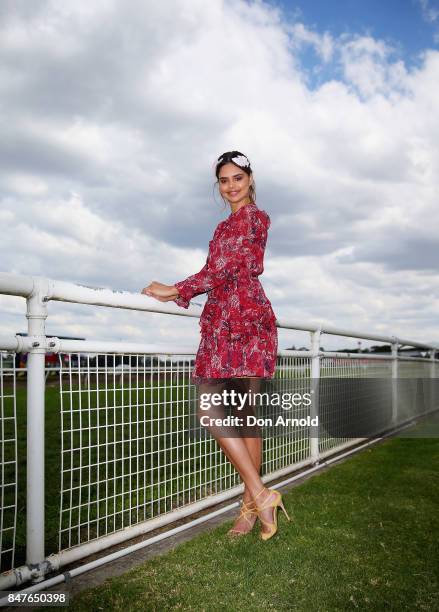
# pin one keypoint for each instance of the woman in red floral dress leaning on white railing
(238, 345)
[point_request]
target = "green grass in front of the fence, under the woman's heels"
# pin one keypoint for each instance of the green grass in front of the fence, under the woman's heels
(364, 536)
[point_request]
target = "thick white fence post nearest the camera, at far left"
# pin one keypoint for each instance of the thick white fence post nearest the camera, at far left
(35, 524)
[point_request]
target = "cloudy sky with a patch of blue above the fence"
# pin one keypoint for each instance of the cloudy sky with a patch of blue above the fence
(113, 114)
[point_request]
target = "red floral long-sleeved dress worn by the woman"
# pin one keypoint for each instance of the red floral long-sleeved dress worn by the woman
(238, 325)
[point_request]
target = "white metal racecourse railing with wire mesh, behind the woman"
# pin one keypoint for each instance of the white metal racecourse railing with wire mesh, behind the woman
(126, 463)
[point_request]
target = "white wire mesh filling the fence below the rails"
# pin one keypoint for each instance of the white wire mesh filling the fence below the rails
(118, 450)
